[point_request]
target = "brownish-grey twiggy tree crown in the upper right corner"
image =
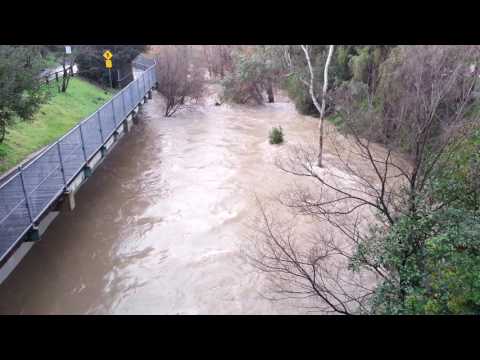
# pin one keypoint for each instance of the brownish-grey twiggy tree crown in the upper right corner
(403, 100)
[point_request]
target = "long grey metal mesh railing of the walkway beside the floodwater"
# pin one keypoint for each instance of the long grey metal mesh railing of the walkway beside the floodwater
(33, 188)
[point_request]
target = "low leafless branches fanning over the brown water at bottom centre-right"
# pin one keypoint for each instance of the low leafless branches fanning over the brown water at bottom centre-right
(304, 273)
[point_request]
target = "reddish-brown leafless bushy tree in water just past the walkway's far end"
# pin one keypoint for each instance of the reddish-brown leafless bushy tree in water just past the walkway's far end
(179, 76)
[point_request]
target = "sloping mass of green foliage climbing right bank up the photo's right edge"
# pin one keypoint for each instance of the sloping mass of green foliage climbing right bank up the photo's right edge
(433, 253)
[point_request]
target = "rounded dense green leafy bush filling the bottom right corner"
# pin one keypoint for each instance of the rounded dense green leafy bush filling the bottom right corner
(442, 273)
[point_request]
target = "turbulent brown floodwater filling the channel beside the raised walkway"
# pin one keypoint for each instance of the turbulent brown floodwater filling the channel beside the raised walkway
(159, 227)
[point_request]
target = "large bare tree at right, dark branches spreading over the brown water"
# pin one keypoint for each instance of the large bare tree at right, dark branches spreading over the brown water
(367, 188)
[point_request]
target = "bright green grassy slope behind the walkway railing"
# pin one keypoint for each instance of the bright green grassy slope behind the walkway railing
(53, 119)
